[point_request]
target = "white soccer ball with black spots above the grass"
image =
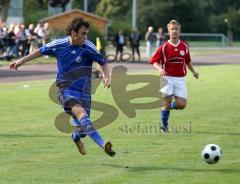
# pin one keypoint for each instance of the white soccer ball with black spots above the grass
(211, 153)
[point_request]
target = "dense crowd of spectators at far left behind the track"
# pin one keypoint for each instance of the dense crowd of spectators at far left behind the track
(17, 41)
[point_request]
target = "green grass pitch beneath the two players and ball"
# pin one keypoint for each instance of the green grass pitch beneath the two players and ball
(32, 150)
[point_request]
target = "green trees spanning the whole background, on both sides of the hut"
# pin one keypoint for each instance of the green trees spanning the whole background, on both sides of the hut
(195, 15)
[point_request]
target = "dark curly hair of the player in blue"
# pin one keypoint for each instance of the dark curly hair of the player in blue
(77, 23)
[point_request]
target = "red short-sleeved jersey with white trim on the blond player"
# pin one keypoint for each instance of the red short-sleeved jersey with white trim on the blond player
(173, 58)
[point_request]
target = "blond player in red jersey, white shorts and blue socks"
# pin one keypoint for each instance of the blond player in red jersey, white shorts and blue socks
(171, 60)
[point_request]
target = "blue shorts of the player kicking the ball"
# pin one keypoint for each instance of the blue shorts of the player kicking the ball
(69, 98)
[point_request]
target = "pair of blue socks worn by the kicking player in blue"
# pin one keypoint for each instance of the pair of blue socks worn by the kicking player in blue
(88, 128)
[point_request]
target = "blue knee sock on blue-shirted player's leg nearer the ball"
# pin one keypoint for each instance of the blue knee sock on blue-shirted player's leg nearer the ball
(89, 129)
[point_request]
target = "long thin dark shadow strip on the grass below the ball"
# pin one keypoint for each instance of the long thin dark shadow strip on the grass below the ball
(176, 169)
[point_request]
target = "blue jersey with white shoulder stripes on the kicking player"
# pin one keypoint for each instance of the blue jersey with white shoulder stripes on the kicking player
(74, 63)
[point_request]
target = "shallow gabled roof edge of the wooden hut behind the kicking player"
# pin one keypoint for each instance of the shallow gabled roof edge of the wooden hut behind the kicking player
(74, 11)
